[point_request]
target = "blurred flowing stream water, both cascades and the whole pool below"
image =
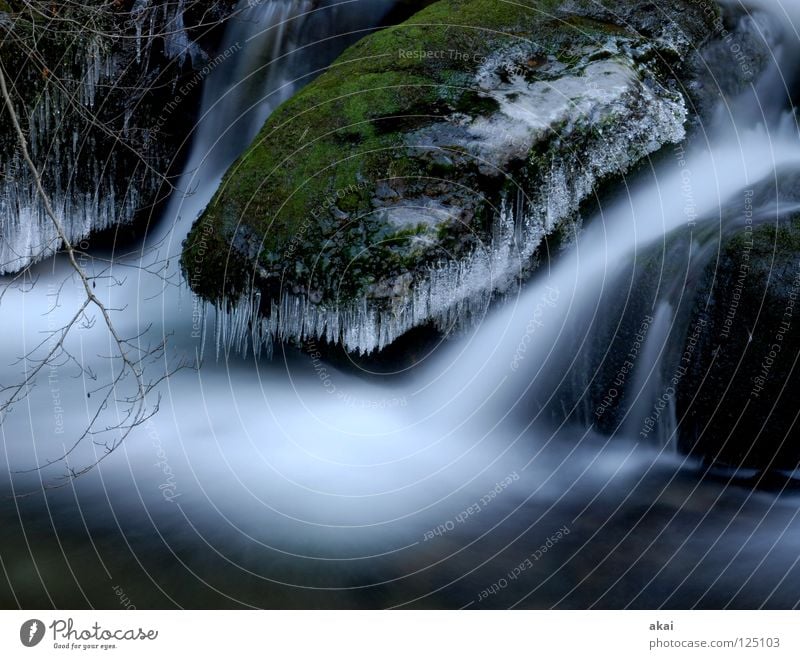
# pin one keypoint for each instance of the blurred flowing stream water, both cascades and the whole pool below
(475, 480)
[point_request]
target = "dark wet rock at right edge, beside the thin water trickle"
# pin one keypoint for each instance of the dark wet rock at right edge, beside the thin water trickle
(736, 404)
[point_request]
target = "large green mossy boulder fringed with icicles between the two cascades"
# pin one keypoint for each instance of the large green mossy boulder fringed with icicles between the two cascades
(423, 172)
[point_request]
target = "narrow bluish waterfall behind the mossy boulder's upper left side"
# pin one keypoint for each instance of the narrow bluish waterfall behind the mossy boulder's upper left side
(271, 49)
